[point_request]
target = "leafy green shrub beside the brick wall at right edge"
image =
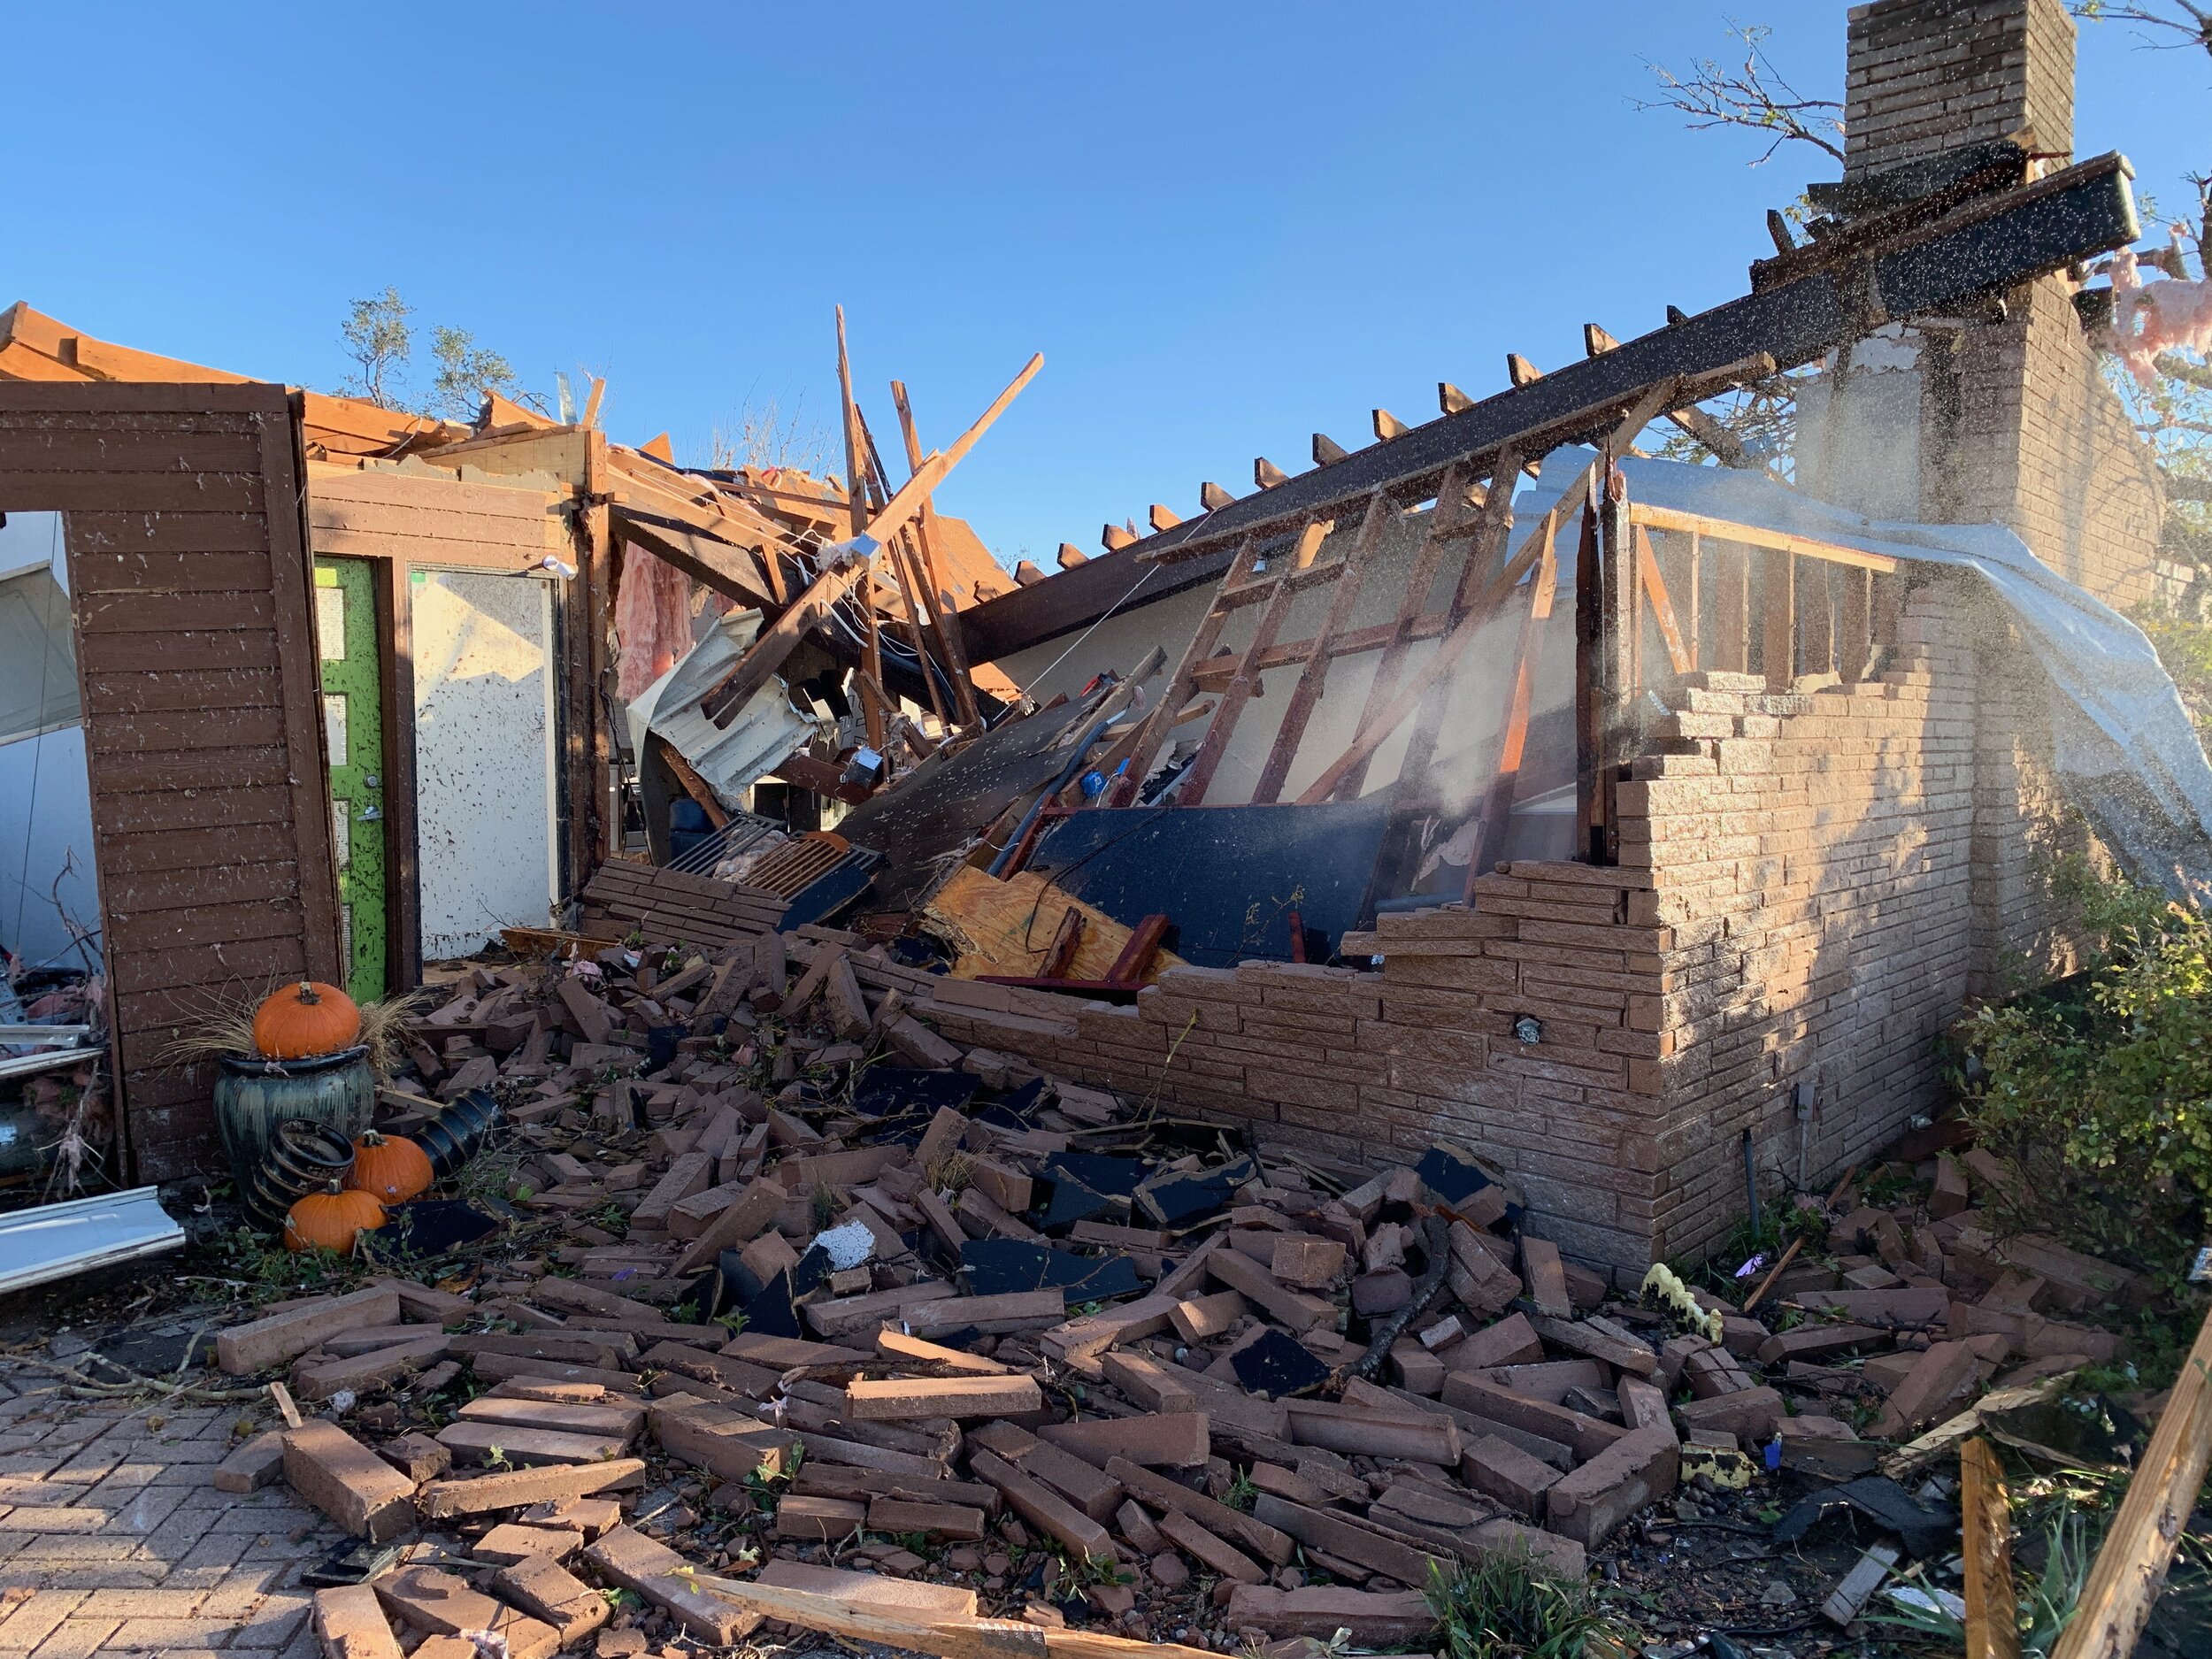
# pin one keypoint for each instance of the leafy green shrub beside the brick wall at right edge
(2100, 1089)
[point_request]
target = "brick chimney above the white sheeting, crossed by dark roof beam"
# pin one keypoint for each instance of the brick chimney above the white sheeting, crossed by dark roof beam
(1979, 421)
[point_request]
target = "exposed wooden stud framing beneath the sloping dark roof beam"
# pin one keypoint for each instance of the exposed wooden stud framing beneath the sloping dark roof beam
(1660, 594)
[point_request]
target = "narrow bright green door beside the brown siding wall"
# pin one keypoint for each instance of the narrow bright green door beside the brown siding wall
(355, 731)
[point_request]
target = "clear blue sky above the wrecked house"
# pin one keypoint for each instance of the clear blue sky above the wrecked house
(1224, 225)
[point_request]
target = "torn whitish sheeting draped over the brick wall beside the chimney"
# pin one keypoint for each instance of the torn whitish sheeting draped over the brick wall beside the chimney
(2125, 740)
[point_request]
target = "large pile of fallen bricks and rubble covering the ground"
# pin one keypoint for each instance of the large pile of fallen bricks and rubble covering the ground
(791, 1297)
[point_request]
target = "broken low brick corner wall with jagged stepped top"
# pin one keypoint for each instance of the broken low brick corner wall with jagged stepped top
(1811, 890)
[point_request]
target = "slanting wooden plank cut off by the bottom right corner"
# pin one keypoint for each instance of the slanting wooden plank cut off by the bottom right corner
(2140, 1547)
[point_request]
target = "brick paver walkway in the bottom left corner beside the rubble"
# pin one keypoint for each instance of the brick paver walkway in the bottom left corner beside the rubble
(116, 1541)
